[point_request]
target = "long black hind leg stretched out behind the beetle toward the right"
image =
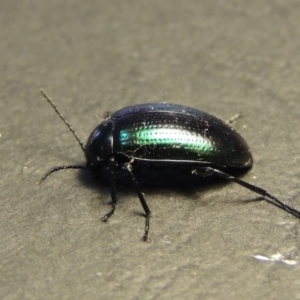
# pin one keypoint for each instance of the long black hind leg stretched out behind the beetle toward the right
(270, 198)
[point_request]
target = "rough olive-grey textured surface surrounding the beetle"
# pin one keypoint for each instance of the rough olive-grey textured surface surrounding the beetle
(91, 57)
